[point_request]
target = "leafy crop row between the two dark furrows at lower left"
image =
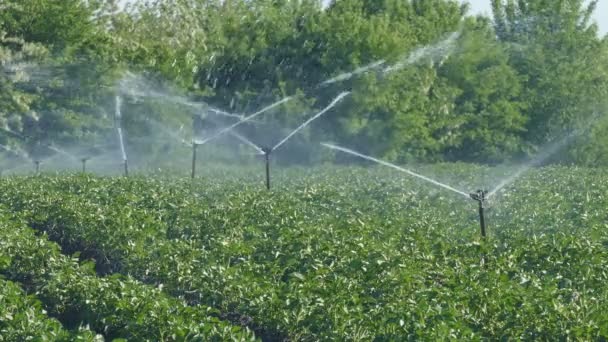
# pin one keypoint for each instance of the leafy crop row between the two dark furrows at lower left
(116, 307)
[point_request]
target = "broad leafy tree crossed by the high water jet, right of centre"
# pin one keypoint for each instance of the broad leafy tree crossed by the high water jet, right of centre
(393, 114)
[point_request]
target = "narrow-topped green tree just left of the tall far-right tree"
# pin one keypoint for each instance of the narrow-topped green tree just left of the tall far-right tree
(488, 123)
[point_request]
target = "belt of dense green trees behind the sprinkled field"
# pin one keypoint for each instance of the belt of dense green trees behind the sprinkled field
(500, 88)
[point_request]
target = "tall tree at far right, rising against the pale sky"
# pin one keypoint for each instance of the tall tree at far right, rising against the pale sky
(556, 47)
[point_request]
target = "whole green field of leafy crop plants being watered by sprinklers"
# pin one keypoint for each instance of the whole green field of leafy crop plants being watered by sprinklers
(344, 254)
